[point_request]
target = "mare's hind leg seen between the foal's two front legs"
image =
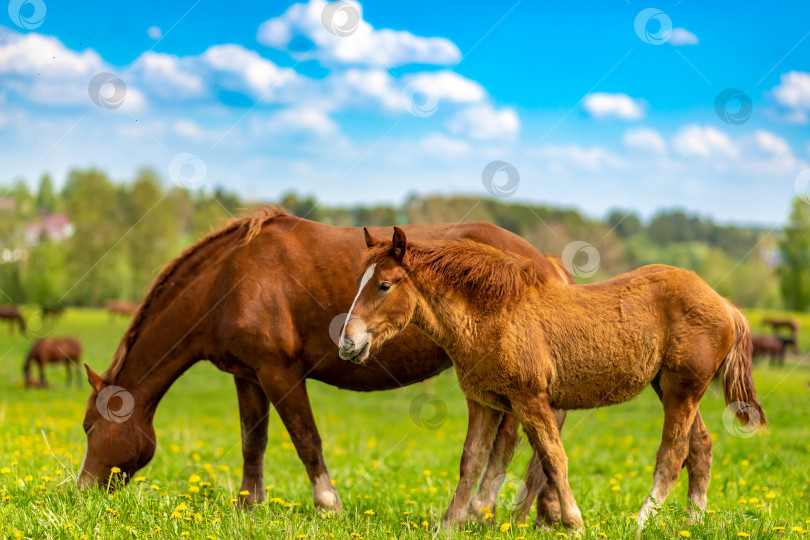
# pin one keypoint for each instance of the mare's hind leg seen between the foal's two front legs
(506, 440)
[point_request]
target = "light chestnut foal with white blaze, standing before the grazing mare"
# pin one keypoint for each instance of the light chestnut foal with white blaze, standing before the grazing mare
(524, 344)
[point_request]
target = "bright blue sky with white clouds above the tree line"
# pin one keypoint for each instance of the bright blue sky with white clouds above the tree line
(593, 108)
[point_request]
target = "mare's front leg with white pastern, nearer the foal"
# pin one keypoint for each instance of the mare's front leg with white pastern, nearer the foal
(287, 391)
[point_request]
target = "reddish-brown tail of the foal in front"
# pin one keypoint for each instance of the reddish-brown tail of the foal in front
(738, 384)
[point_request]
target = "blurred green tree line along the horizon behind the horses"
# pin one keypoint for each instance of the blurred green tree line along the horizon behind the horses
(123, 232)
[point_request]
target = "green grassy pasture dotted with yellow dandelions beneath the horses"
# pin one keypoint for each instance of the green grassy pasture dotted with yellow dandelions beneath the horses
(395, 466)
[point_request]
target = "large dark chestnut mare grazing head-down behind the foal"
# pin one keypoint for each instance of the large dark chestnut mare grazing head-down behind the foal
(257, 298)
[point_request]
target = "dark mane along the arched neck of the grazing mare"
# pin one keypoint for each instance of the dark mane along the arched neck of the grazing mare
(250, 226)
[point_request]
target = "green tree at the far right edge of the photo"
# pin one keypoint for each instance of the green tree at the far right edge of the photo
(794, 269)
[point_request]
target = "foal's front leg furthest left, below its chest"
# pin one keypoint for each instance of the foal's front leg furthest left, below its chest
(481, 430)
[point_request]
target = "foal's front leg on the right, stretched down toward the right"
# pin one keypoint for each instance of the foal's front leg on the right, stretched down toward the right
(538, 420)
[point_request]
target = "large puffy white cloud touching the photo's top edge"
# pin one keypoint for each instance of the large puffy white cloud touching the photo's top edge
(365, 46)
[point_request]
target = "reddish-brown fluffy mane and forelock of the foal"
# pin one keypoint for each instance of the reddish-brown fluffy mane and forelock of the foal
(486, 276)
